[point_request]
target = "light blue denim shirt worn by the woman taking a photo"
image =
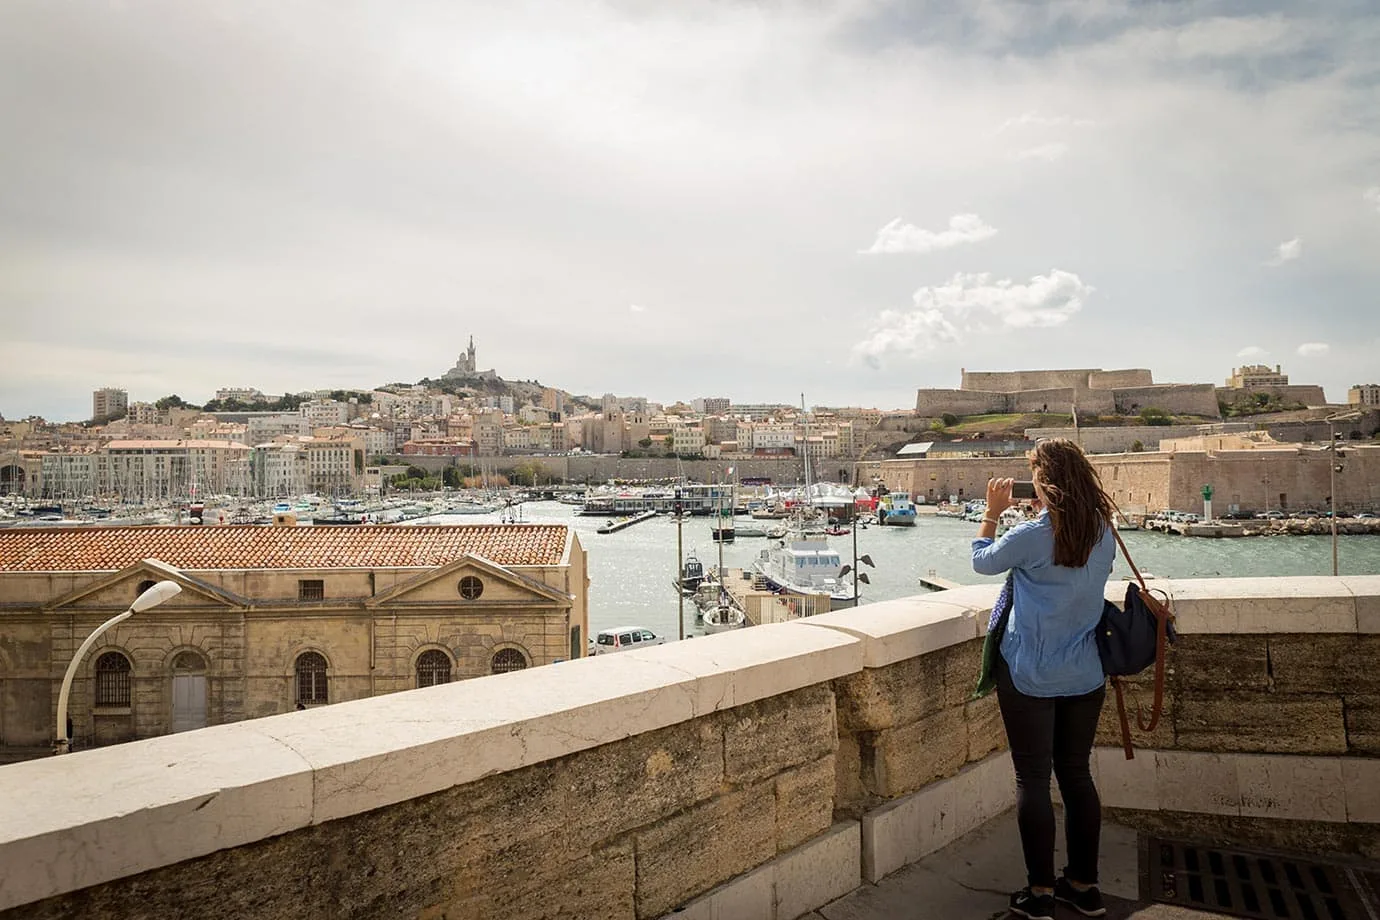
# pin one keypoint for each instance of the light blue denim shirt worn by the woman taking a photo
(1049, 645)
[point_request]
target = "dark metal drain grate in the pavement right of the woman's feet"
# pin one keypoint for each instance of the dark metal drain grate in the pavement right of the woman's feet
(1255, 885)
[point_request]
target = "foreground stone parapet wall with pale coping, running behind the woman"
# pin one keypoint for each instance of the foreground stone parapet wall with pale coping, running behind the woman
(761, 773)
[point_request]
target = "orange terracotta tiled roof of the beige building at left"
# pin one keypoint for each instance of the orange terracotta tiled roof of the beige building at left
(259, 547)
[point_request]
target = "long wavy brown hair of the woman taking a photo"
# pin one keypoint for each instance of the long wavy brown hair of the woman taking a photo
(1078, 507)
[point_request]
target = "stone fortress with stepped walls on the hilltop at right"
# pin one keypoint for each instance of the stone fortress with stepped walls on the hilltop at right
(1094, 391)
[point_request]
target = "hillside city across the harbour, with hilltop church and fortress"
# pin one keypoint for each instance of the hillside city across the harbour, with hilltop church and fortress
(469, 421)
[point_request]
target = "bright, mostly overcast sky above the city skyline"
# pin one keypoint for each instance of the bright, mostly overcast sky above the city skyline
(845, 201)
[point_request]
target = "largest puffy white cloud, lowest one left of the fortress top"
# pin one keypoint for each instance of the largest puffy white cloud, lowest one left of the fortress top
(976, 304)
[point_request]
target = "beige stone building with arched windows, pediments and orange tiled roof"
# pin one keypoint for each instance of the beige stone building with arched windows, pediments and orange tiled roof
(271, 619)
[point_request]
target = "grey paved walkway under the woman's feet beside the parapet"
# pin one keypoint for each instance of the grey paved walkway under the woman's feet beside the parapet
(972, 879)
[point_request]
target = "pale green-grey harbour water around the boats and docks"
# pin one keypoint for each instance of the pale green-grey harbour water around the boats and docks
(631, 572)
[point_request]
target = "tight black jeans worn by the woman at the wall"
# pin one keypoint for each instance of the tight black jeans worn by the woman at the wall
(1044, 733)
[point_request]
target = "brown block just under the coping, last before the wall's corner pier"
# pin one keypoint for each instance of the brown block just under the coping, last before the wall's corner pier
(767, 737)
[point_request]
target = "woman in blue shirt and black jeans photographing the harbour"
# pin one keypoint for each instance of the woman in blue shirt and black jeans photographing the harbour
(1049, 678)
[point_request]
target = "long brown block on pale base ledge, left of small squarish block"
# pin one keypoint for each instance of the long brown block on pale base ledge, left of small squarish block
(704, 846)
